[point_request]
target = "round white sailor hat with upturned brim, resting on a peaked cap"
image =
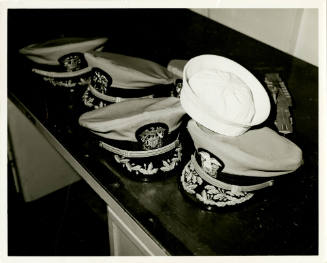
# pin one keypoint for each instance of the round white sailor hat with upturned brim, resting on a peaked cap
(222, 95)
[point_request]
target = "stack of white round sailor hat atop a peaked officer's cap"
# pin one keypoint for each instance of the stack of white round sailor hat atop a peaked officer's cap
(230, 161)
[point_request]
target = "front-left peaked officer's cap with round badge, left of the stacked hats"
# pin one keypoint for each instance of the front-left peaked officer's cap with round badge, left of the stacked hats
(141, 134)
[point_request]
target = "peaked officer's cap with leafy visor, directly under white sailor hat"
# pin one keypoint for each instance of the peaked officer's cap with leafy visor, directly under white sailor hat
(225, 171)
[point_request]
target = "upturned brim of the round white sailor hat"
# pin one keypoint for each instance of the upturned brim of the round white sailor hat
(202, 112)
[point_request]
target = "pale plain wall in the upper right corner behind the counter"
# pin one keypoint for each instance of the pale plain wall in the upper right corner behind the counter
(294, 31)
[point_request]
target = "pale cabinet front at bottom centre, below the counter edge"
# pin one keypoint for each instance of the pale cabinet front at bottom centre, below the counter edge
(127, 238)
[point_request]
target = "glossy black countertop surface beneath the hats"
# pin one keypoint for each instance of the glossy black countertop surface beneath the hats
(281, 221)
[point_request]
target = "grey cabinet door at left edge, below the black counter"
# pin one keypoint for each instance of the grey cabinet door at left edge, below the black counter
(40, 168)
